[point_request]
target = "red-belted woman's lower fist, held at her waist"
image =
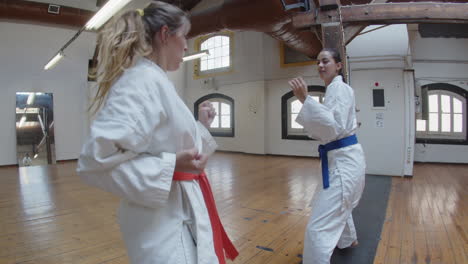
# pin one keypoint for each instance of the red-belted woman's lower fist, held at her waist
(190, 160)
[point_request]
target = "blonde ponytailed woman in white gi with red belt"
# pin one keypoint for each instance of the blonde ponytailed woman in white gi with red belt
(146, 147)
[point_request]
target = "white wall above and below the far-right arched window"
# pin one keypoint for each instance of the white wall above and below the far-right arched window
(440, 60)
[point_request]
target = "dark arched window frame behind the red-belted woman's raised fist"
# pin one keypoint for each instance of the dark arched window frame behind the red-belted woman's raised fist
(217, 97)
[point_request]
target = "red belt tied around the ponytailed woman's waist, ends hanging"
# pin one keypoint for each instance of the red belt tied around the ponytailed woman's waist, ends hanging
(220, 239)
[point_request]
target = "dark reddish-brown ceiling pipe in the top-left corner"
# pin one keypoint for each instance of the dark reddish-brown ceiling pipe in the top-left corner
(34, 12)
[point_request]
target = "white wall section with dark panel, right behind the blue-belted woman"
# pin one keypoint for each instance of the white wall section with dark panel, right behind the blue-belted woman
(383, 146)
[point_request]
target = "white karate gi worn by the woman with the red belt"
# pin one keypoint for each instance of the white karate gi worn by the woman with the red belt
(131, 153)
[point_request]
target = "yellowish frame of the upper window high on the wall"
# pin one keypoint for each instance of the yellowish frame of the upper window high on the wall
(197, 73)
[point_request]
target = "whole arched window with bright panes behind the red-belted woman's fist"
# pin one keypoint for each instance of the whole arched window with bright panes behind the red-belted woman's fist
(223, 123)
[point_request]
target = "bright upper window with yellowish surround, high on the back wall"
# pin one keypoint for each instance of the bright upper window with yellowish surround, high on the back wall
(219, 59)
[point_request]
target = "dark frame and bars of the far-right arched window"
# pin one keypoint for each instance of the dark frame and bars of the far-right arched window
(450, 138)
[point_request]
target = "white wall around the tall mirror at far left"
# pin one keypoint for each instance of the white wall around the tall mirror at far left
(23, 55)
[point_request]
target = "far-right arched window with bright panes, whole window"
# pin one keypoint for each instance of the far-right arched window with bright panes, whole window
(444, 114)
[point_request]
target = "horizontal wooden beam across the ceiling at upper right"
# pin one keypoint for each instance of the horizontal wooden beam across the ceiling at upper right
(390, 13)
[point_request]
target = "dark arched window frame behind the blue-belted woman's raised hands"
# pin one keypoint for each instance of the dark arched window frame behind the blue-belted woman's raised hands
(287, 132)
